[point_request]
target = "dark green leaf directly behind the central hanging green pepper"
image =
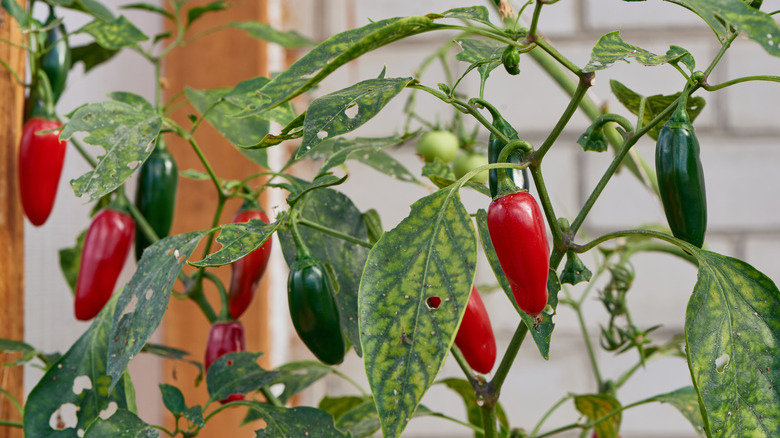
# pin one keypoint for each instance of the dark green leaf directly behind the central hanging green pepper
(335, 210)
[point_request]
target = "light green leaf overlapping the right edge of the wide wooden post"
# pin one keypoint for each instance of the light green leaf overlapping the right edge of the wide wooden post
(239, 132)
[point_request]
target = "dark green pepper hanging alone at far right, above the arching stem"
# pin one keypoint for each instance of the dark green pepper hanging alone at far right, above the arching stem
(681, 179)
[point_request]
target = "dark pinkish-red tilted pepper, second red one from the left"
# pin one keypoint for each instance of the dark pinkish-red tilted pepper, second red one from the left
(106, 246)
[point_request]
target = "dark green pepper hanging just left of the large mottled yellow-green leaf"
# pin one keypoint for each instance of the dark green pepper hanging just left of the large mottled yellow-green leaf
(313, 310)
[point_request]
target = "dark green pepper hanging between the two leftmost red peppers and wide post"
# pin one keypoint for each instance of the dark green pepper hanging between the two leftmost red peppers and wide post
(155, 197)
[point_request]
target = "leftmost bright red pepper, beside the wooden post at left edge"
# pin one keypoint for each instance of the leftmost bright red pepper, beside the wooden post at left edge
(41, 157)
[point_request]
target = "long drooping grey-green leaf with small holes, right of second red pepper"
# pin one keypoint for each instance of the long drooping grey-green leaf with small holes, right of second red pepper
(144, 300)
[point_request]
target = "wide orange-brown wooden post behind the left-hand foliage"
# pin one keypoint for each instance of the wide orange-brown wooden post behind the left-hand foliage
(221, 60)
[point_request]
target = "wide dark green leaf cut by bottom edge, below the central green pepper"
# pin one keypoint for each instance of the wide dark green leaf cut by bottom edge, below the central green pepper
(295, 422)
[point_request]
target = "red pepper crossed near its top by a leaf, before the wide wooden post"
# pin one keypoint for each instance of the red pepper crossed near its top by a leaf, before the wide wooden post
(247, 272)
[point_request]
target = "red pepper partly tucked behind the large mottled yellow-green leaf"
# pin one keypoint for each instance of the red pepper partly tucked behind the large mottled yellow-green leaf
(475, 337)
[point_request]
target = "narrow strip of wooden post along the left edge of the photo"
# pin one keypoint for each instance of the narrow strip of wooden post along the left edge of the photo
(11, 220)
